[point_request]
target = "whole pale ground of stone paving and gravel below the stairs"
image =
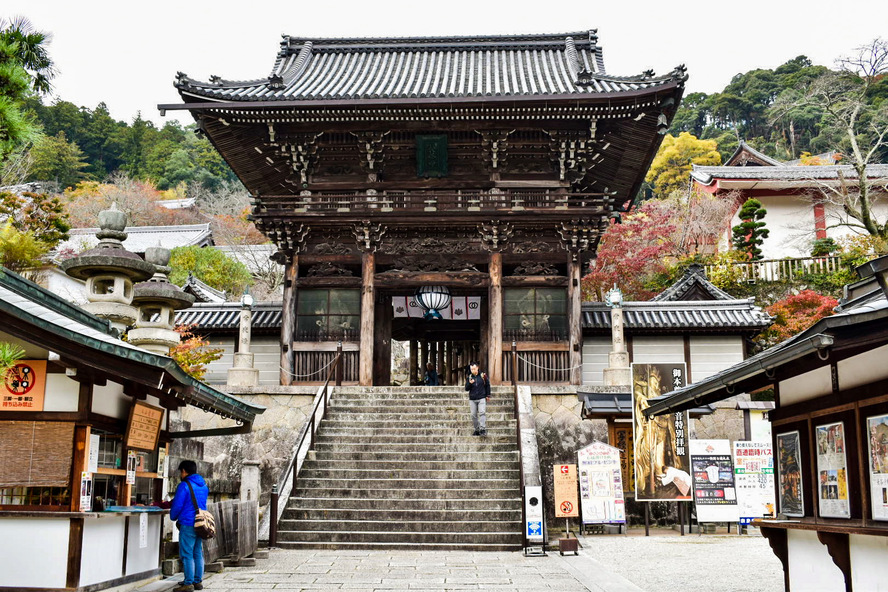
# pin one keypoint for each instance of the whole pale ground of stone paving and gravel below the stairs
(605, 564)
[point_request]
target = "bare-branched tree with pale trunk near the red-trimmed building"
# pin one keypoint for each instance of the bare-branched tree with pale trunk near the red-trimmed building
(854, 120)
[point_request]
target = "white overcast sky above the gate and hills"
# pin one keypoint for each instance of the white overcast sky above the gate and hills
(127, 53)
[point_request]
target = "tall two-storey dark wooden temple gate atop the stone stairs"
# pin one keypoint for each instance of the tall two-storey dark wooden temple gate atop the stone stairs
(486, 165)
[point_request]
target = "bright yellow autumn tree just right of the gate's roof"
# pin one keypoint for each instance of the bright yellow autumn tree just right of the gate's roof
(672, 165)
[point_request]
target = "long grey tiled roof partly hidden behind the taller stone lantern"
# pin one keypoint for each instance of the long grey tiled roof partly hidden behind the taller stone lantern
(141, 237)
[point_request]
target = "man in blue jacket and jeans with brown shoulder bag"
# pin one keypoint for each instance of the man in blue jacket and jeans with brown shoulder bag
(183, 511)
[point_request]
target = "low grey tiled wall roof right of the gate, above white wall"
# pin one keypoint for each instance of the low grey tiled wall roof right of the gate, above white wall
(682, 315)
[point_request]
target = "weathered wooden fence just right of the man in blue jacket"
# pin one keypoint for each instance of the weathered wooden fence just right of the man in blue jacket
(237, 533)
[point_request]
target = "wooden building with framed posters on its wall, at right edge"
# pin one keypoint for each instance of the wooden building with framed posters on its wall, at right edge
(829, 436)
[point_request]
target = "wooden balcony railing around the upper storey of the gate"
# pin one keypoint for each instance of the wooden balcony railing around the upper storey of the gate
(430, 201)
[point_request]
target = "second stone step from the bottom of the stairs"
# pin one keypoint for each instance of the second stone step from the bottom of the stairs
(408, 526)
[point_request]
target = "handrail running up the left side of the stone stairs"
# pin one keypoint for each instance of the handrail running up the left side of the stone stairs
(304, 443)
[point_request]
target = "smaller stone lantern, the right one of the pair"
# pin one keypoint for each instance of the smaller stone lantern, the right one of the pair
(157, 301)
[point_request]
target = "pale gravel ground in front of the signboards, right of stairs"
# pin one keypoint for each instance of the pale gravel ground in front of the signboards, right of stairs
(667, 562)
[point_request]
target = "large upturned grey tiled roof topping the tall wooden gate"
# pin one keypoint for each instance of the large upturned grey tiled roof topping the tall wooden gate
(524, 65)
